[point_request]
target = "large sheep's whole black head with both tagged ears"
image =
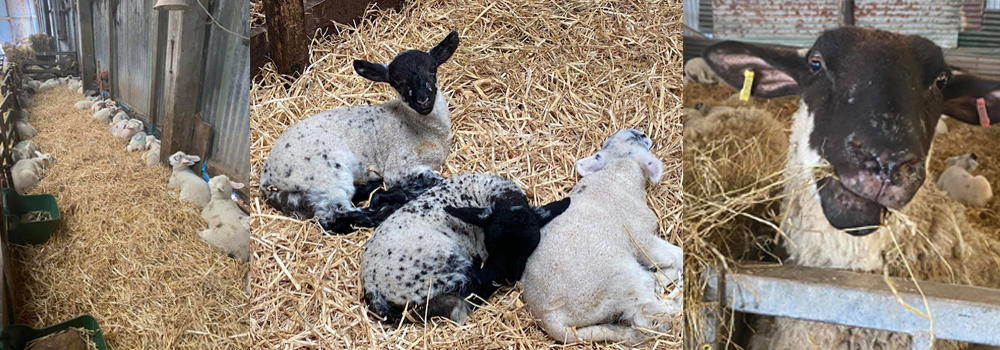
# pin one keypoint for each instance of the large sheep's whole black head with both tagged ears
(870, 103)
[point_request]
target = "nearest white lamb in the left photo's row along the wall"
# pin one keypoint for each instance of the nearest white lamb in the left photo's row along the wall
(226, 231)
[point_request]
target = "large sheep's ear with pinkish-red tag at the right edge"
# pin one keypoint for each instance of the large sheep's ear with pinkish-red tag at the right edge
(961, 93)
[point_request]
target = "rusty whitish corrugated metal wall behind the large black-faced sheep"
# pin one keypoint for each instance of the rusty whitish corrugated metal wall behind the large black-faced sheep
(799, 22)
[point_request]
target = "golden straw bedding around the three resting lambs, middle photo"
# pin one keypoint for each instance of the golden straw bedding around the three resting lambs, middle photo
(534, 86)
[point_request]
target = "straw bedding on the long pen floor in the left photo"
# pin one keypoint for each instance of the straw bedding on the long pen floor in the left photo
(126, 250)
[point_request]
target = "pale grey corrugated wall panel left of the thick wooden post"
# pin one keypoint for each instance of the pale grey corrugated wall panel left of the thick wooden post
(134, 25)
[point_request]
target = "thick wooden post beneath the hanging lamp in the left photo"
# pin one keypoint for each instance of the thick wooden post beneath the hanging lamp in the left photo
(182, 73)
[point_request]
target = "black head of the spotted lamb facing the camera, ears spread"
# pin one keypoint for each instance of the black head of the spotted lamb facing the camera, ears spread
(413, 73)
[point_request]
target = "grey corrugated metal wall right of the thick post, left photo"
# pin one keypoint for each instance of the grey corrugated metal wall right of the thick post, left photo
(225, 99)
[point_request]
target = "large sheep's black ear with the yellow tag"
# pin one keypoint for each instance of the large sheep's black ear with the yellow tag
(776, 70)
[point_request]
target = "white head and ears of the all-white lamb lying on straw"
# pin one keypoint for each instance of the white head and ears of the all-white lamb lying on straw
(625, 144)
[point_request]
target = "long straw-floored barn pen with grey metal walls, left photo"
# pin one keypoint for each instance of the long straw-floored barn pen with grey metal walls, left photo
(125, 249)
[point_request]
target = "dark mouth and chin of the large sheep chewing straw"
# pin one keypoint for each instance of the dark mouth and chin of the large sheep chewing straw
(848, 211)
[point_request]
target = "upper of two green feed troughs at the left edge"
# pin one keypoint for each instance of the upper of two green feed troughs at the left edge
(29, 233)
